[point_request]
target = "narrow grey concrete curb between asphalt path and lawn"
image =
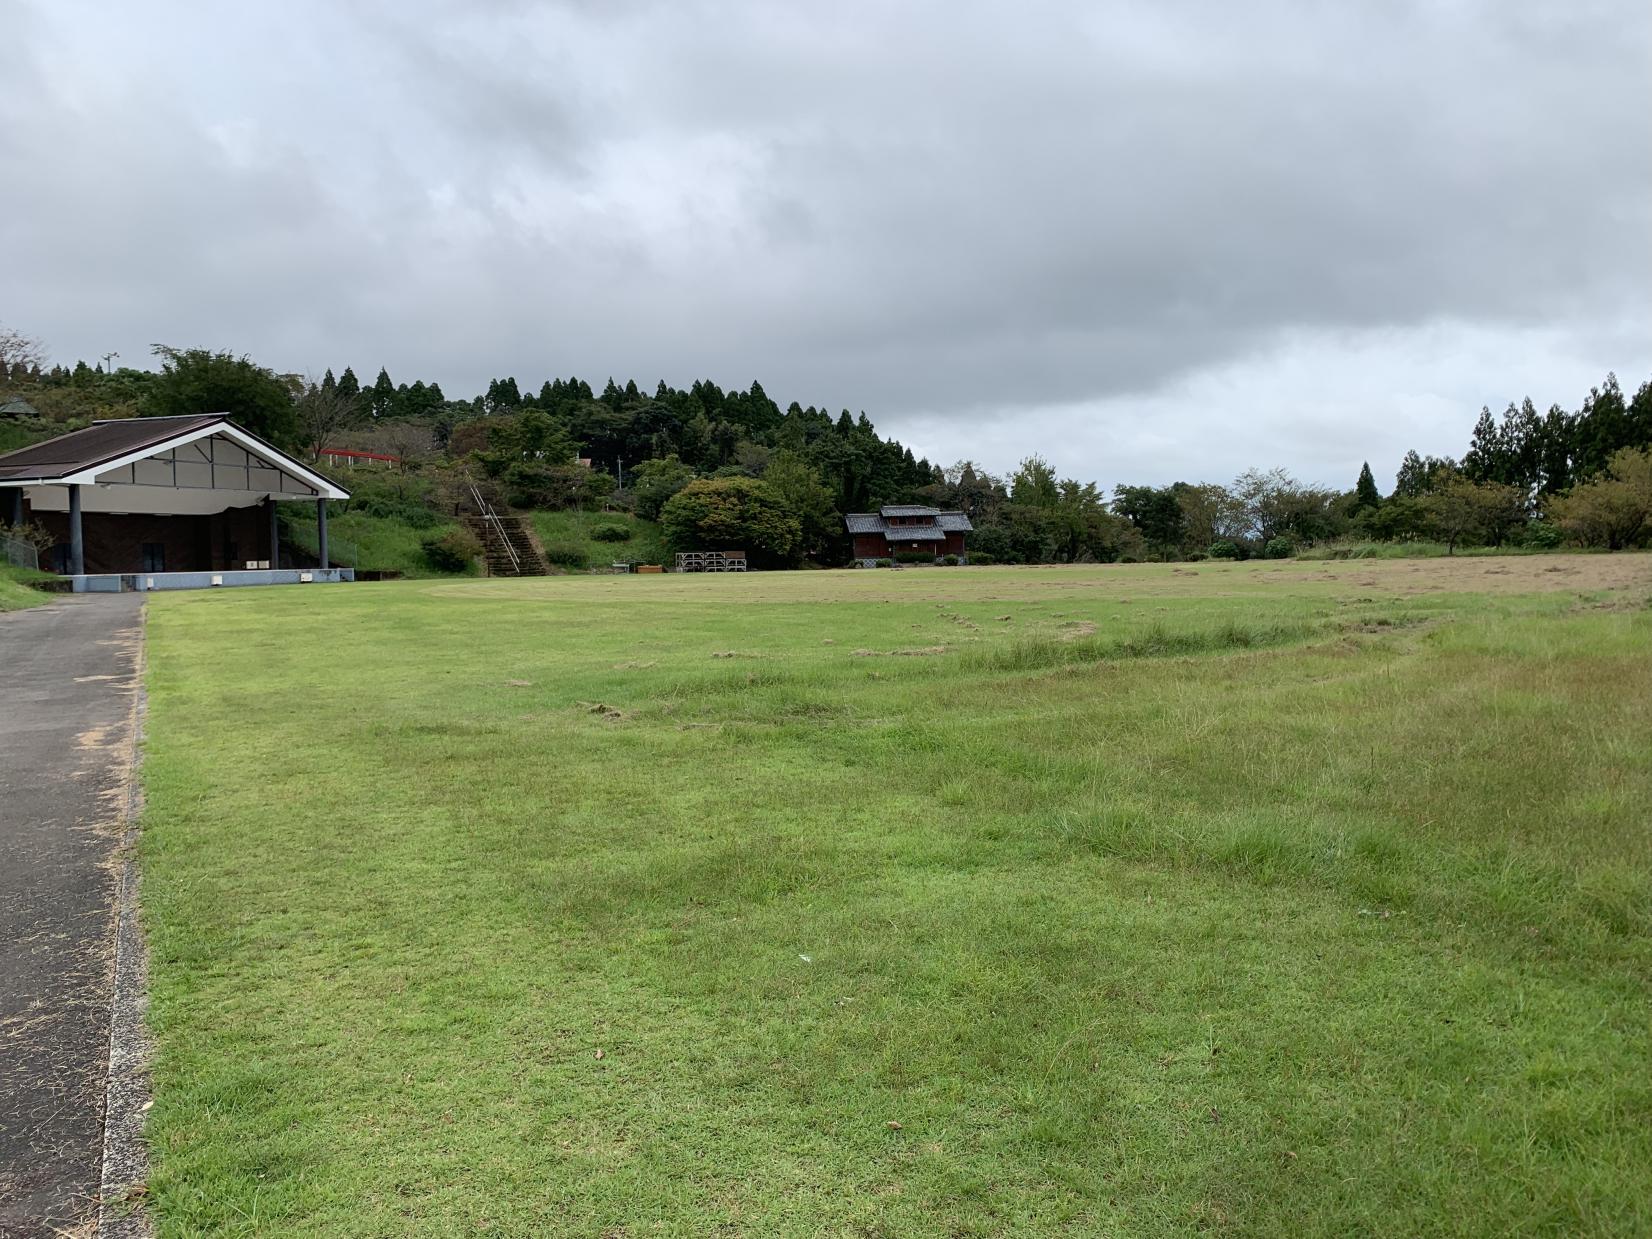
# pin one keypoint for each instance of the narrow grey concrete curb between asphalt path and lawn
(126, 1094)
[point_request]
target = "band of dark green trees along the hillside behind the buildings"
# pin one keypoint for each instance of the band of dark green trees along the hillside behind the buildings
(1524, 480)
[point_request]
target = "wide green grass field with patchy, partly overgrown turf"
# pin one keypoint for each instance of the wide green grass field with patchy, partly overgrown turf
(1258, 900)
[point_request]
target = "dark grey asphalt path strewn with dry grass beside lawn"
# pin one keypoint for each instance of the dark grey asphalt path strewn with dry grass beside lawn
(67, 693)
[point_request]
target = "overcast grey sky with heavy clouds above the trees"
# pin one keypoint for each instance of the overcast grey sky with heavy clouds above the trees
(1147, 240)
